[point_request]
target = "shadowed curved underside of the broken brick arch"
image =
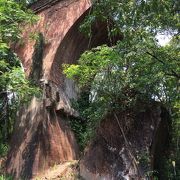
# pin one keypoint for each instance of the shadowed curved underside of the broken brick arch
(71, 48)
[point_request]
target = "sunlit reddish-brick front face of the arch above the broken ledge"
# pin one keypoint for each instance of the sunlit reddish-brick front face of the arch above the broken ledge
(56, 17)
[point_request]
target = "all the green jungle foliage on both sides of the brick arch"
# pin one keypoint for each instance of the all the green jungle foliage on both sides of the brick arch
(137, 67)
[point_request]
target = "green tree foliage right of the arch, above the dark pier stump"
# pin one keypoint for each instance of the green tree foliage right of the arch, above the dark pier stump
(137, 67)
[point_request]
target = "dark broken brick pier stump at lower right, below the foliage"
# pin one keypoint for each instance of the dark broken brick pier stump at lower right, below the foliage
(125, 145)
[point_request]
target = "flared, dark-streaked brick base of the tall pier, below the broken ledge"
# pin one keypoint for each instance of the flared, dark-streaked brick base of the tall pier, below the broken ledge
(42, 138)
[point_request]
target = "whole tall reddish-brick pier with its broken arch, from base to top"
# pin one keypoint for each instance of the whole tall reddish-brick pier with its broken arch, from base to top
(42, 138)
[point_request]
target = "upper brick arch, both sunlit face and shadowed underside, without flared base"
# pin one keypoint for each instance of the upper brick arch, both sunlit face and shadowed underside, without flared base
(59, 22)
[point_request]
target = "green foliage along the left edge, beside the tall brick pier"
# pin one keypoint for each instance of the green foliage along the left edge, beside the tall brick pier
(15, 89)
